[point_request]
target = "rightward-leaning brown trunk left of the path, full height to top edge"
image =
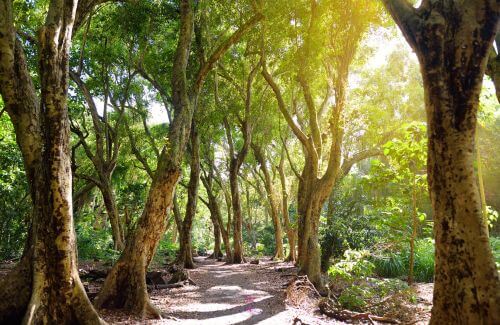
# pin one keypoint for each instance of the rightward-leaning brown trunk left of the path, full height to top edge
(125, 286)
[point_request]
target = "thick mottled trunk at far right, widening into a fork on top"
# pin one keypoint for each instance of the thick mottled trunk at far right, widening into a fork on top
(452, 40)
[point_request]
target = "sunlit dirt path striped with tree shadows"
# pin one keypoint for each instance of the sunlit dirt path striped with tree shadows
(232, 294)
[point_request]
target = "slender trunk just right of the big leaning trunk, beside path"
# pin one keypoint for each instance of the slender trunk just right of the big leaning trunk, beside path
(186, 251)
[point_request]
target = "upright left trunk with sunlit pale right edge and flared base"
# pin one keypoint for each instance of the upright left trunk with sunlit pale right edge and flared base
(58, 295)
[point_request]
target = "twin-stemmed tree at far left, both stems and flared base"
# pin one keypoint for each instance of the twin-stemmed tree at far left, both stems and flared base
(56, 292)
